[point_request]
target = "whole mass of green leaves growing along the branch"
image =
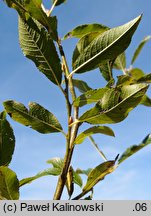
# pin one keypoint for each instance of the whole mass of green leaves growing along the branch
(98, 47)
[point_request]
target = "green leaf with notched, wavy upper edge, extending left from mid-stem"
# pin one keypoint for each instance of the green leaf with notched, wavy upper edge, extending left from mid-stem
(37, 117)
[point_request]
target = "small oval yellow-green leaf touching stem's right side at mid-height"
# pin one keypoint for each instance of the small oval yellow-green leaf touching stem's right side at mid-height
(89, 97)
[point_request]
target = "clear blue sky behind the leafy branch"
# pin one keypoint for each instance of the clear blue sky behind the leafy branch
(21, 81)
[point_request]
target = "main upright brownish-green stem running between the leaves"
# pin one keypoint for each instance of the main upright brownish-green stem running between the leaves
(72, 131)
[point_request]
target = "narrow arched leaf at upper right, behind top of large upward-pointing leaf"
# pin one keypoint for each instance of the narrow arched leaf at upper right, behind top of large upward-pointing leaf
(83, 30)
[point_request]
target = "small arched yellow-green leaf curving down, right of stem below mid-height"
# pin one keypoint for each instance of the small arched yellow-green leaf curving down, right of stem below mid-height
(93, 130)
